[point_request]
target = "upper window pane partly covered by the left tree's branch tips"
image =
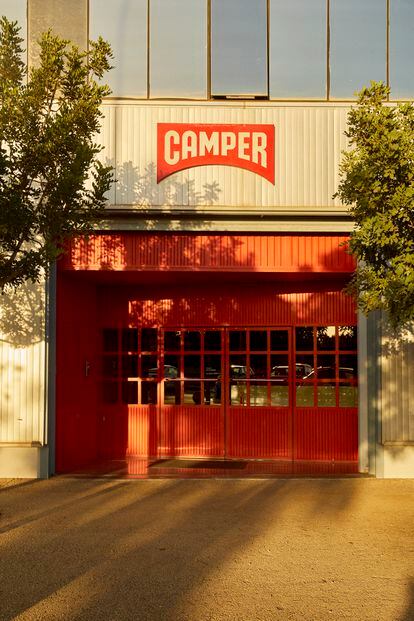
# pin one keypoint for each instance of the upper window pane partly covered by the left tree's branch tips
(124, 24)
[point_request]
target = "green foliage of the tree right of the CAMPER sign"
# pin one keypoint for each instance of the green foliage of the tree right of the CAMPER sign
(377, 182)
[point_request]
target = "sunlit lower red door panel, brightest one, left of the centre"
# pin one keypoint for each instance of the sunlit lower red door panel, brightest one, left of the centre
(192, 431)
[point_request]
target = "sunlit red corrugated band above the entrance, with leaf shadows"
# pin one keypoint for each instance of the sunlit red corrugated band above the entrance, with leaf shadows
(192, 252)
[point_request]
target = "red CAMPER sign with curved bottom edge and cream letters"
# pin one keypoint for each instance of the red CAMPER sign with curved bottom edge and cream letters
(183, 145)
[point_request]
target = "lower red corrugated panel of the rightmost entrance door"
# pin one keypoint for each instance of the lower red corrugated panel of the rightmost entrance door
(326, 434)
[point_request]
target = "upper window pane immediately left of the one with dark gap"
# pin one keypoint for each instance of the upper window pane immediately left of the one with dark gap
(178, 48)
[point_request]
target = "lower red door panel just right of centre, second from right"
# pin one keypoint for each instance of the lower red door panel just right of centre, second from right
(259, 433)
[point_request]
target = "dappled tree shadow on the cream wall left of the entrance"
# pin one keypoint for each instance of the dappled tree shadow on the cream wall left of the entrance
(22, 315)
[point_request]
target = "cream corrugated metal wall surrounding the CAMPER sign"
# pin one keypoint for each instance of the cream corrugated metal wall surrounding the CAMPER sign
(309, 140)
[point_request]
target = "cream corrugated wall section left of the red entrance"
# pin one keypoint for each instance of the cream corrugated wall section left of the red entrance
(22, 365)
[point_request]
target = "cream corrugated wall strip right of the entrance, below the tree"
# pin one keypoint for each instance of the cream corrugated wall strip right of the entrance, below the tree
(397, 394)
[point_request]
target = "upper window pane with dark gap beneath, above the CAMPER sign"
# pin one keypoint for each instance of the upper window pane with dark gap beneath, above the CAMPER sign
(239, 47)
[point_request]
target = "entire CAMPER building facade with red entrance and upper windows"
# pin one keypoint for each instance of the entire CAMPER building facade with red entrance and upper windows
(207, 318)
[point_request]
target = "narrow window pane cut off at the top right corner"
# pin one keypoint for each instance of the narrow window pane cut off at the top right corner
(401, 49)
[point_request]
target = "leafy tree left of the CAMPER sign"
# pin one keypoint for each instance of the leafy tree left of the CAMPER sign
(52, 185)
